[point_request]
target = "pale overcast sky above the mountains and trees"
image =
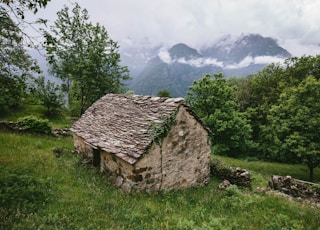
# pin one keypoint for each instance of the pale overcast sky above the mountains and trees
(294, 23)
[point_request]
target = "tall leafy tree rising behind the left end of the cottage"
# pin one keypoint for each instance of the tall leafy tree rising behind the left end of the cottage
(84, 57)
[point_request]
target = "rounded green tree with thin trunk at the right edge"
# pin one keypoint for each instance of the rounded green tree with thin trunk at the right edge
(295, 124)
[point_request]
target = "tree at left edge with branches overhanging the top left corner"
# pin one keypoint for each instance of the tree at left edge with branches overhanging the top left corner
(16, 66)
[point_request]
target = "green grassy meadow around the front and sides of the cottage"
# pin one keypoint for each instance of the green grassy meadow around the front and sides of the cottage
(75, 196)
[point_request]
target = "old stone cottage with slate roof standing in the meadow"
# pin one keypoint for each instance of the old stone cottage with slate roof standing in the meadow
(145, 143)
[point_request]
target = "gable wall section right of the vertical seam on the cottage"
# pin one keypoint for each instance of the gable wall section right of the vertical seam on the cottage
(185, 154)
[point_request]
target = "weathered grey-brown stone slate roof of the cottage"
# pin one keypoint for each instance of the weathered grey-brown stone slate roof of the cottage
(119, 124)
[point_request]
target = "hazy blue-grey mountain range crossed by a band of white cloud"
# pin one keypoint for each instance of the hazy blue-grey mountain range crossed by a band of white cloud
(175, 69)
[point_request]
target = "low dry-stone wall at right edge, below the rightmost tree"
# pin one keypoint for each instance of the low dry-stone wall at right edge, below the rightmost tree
(295, 188)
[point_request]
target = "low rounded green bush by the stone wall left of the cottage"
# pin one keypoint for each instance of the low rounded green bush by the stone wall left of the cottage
(34, 125)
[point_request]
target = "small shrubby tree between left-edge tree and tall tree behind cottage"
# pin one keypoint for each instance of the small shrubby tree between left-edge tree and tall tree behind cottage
(49, 94)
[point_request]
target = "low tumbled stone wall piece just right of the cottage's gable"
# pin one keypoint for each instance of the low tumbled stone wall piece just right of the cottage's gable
(230, 175)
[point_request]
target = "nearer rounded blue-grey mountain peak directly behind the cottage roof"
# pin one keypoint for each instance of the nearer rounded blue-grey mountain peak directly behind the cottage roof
(175, 70)
